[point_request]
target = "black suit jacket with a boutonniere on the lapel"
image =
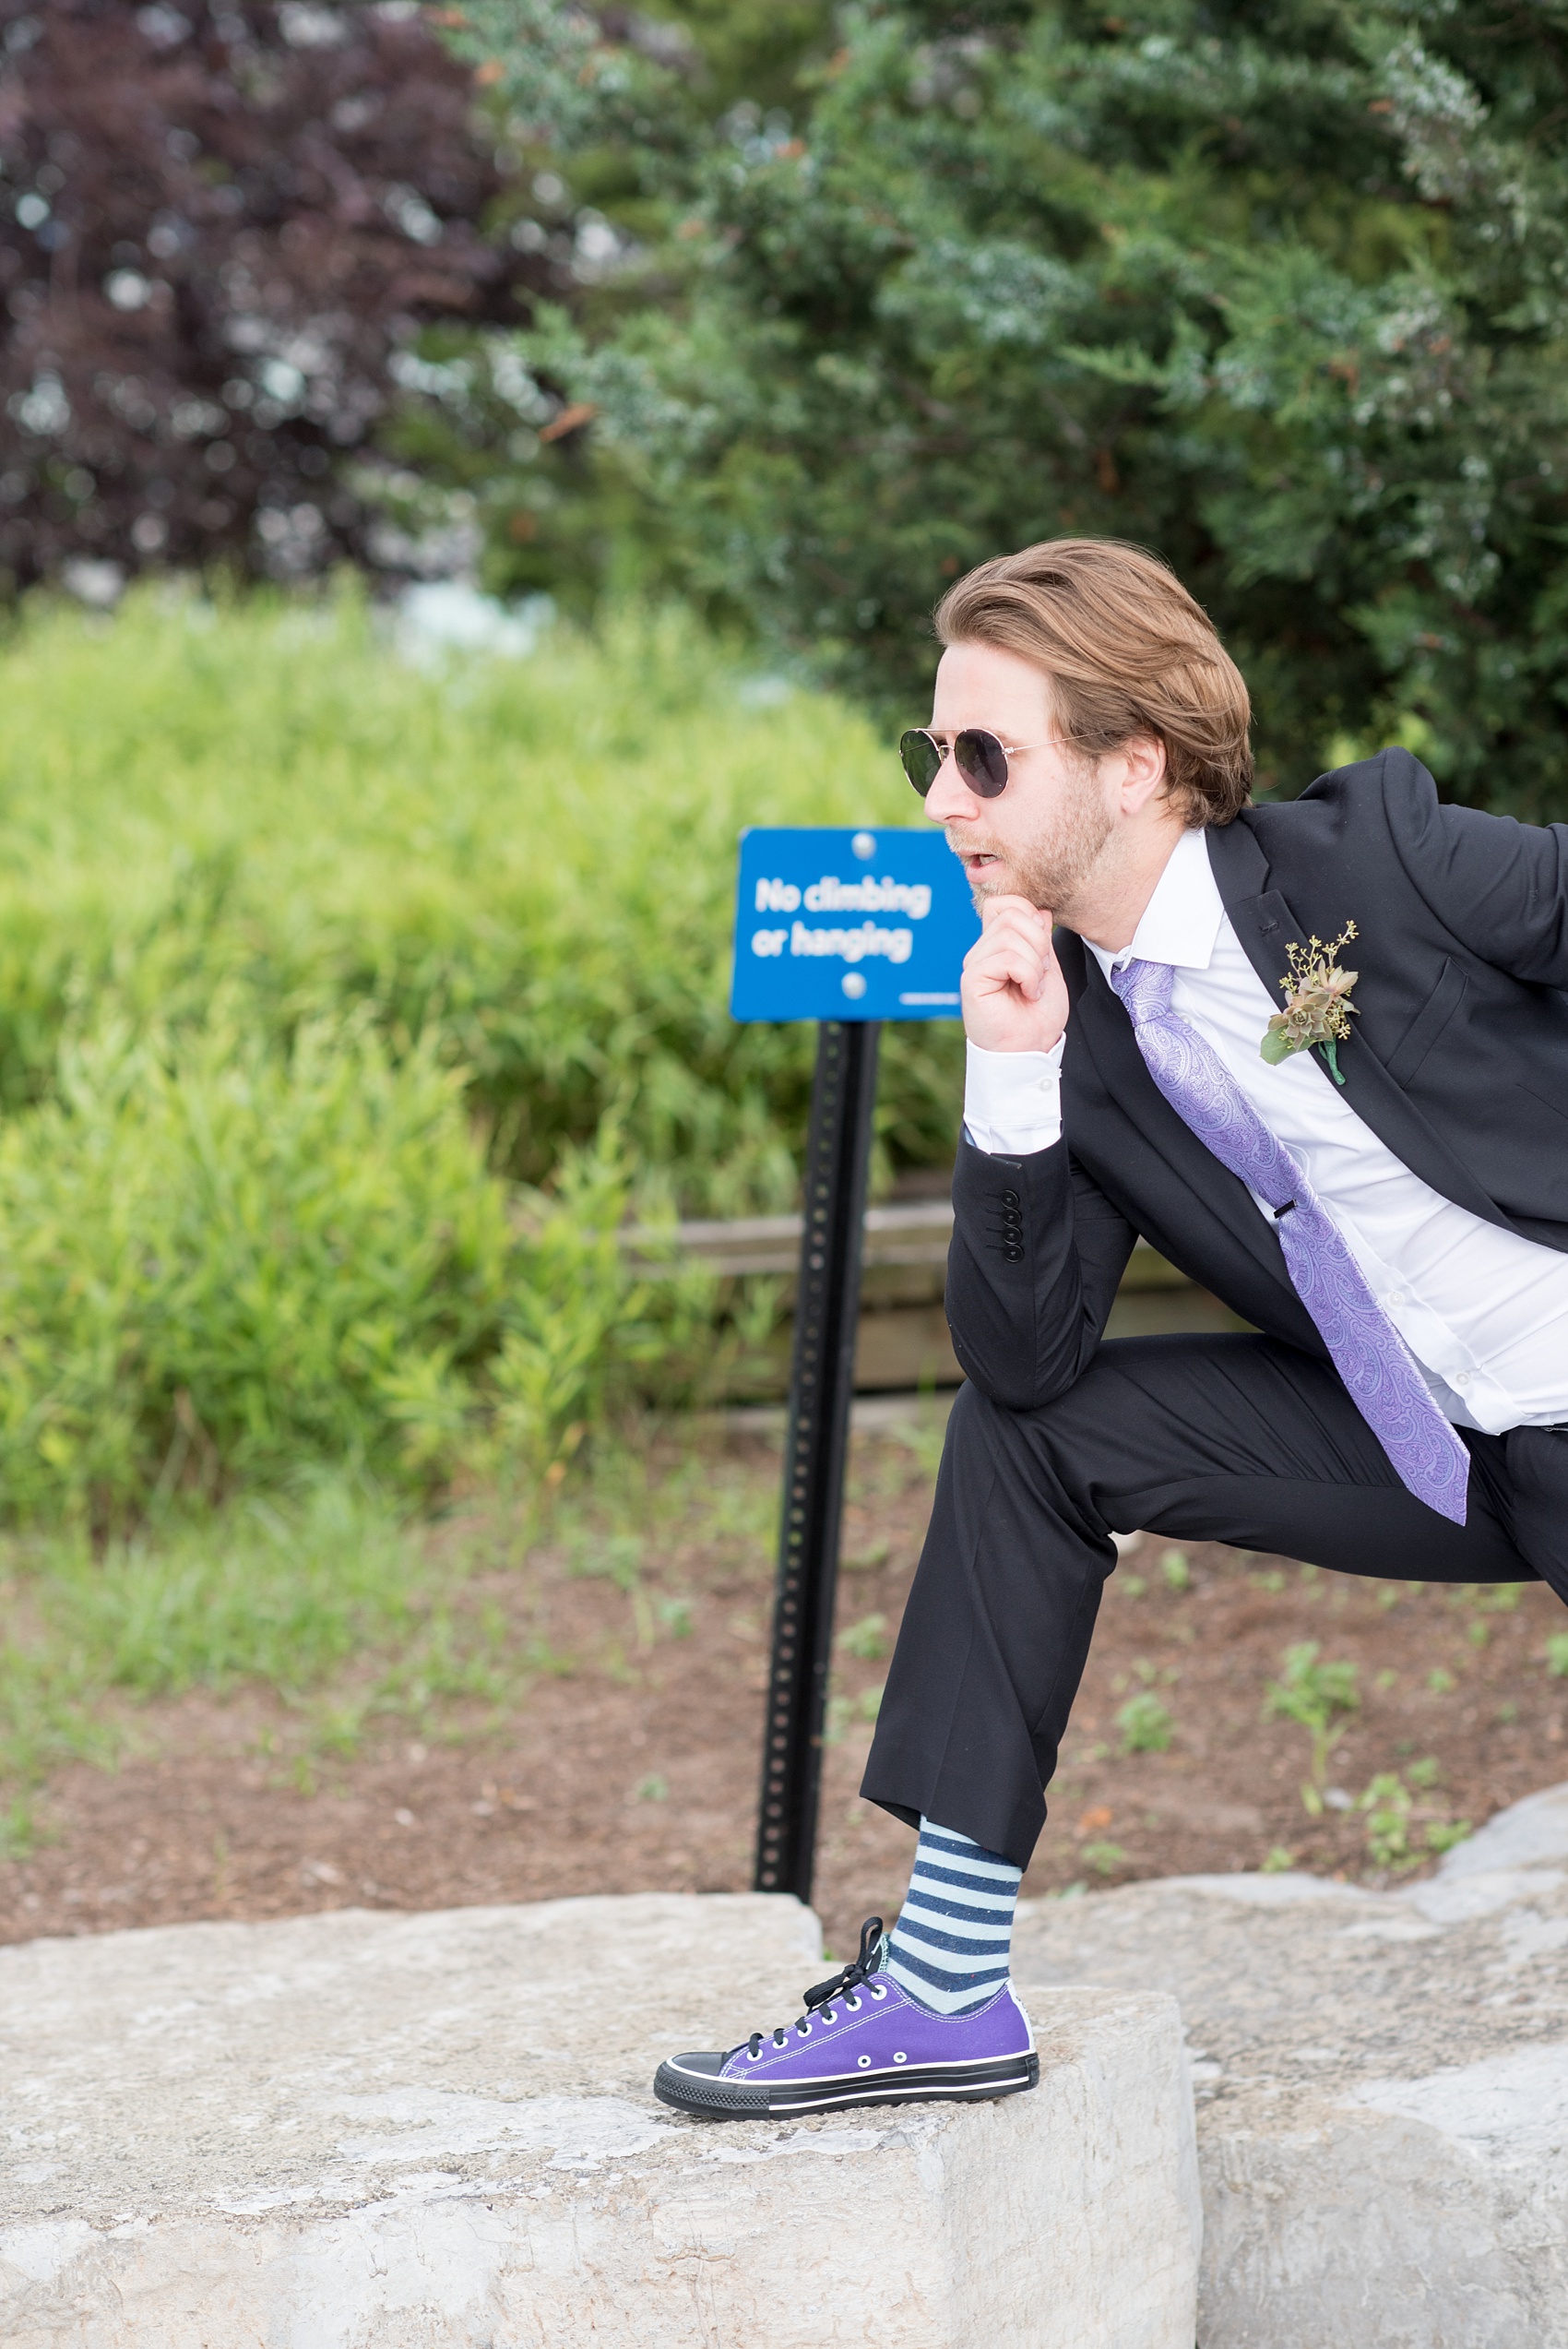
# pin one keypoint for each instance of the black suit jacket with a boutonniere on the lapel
(1459, 1061)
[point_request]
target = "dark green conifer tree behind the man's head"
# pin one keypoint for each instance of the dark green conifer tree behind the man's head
(1278, 288)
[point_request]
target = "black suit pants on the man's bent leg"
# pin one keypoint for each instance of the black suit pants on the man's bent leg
(1203, 1439)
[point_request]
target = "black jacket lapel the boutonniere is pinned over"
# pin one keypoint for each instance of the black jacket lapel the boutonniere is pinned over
(1266, 929)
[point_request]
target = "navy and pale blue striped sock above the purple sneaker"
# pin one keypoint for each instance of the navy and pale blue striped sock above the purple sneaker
(949, 1946)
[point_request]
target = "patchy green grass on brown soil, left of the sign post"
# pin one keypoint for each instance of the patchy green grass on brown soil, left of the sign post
(342, 1601)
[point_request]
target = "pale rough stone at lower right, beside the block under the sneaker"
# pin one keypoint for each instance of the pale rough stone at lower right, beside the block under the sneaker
(1381, 2087)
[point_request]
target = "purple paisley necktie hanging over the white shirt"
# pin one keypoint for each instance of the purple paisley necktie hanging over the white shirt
(1367, 1352)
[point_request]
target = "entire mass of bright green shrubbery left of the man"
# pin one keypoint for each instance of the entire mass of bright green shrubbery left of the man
(342, 997)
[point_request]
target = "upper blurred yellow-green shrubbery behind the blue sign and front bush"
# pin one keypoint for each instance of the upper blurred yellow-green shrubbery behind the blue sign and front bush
(527, 866)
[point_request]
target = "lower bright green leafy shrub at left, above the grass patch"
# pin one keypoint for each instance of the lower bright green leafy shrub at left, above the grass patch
(222, 1258)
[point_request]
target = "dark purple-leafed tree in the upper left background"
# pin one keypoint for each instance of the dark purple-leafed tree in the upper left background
(219, 229)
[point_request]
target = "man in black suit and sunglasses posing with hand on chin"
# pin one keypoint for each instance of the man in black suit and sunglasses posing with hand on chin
(1318, 1056)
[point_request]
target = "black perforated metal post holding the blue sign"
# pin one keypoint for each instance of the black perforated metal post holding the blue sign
(820, 1387)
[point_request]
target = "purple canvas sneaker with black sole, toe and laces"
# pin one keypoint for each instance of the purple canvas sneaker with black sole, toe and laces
(860, 2042)
